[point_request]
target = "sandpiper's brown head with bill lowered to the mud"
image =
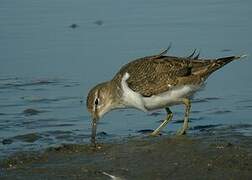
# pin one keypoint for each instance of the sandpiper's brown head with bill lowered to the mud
(99, 102)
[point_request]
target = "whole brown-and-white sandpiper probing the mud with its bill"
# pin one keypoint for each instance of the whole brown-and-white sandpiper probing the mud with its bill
(151, 83)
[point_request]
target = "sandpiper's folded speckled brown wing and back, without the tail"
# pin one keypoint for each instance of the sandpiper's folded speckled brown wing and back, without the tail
(155, 74)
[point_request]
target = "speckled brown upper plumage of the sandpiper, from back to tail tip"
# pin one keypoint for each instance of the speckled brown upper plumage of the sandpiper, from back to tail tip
(154, 75)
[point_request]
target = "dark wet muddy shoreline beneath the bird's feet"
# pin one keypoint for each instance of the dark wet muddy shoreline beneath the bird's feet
(218, 155)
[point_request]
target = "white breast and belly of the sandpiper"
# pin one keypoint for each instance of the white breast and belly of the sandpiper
(169, 98)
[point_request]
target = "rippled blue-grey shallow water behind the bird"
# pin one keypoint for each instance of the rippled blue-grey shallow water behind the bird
(53, 52)
